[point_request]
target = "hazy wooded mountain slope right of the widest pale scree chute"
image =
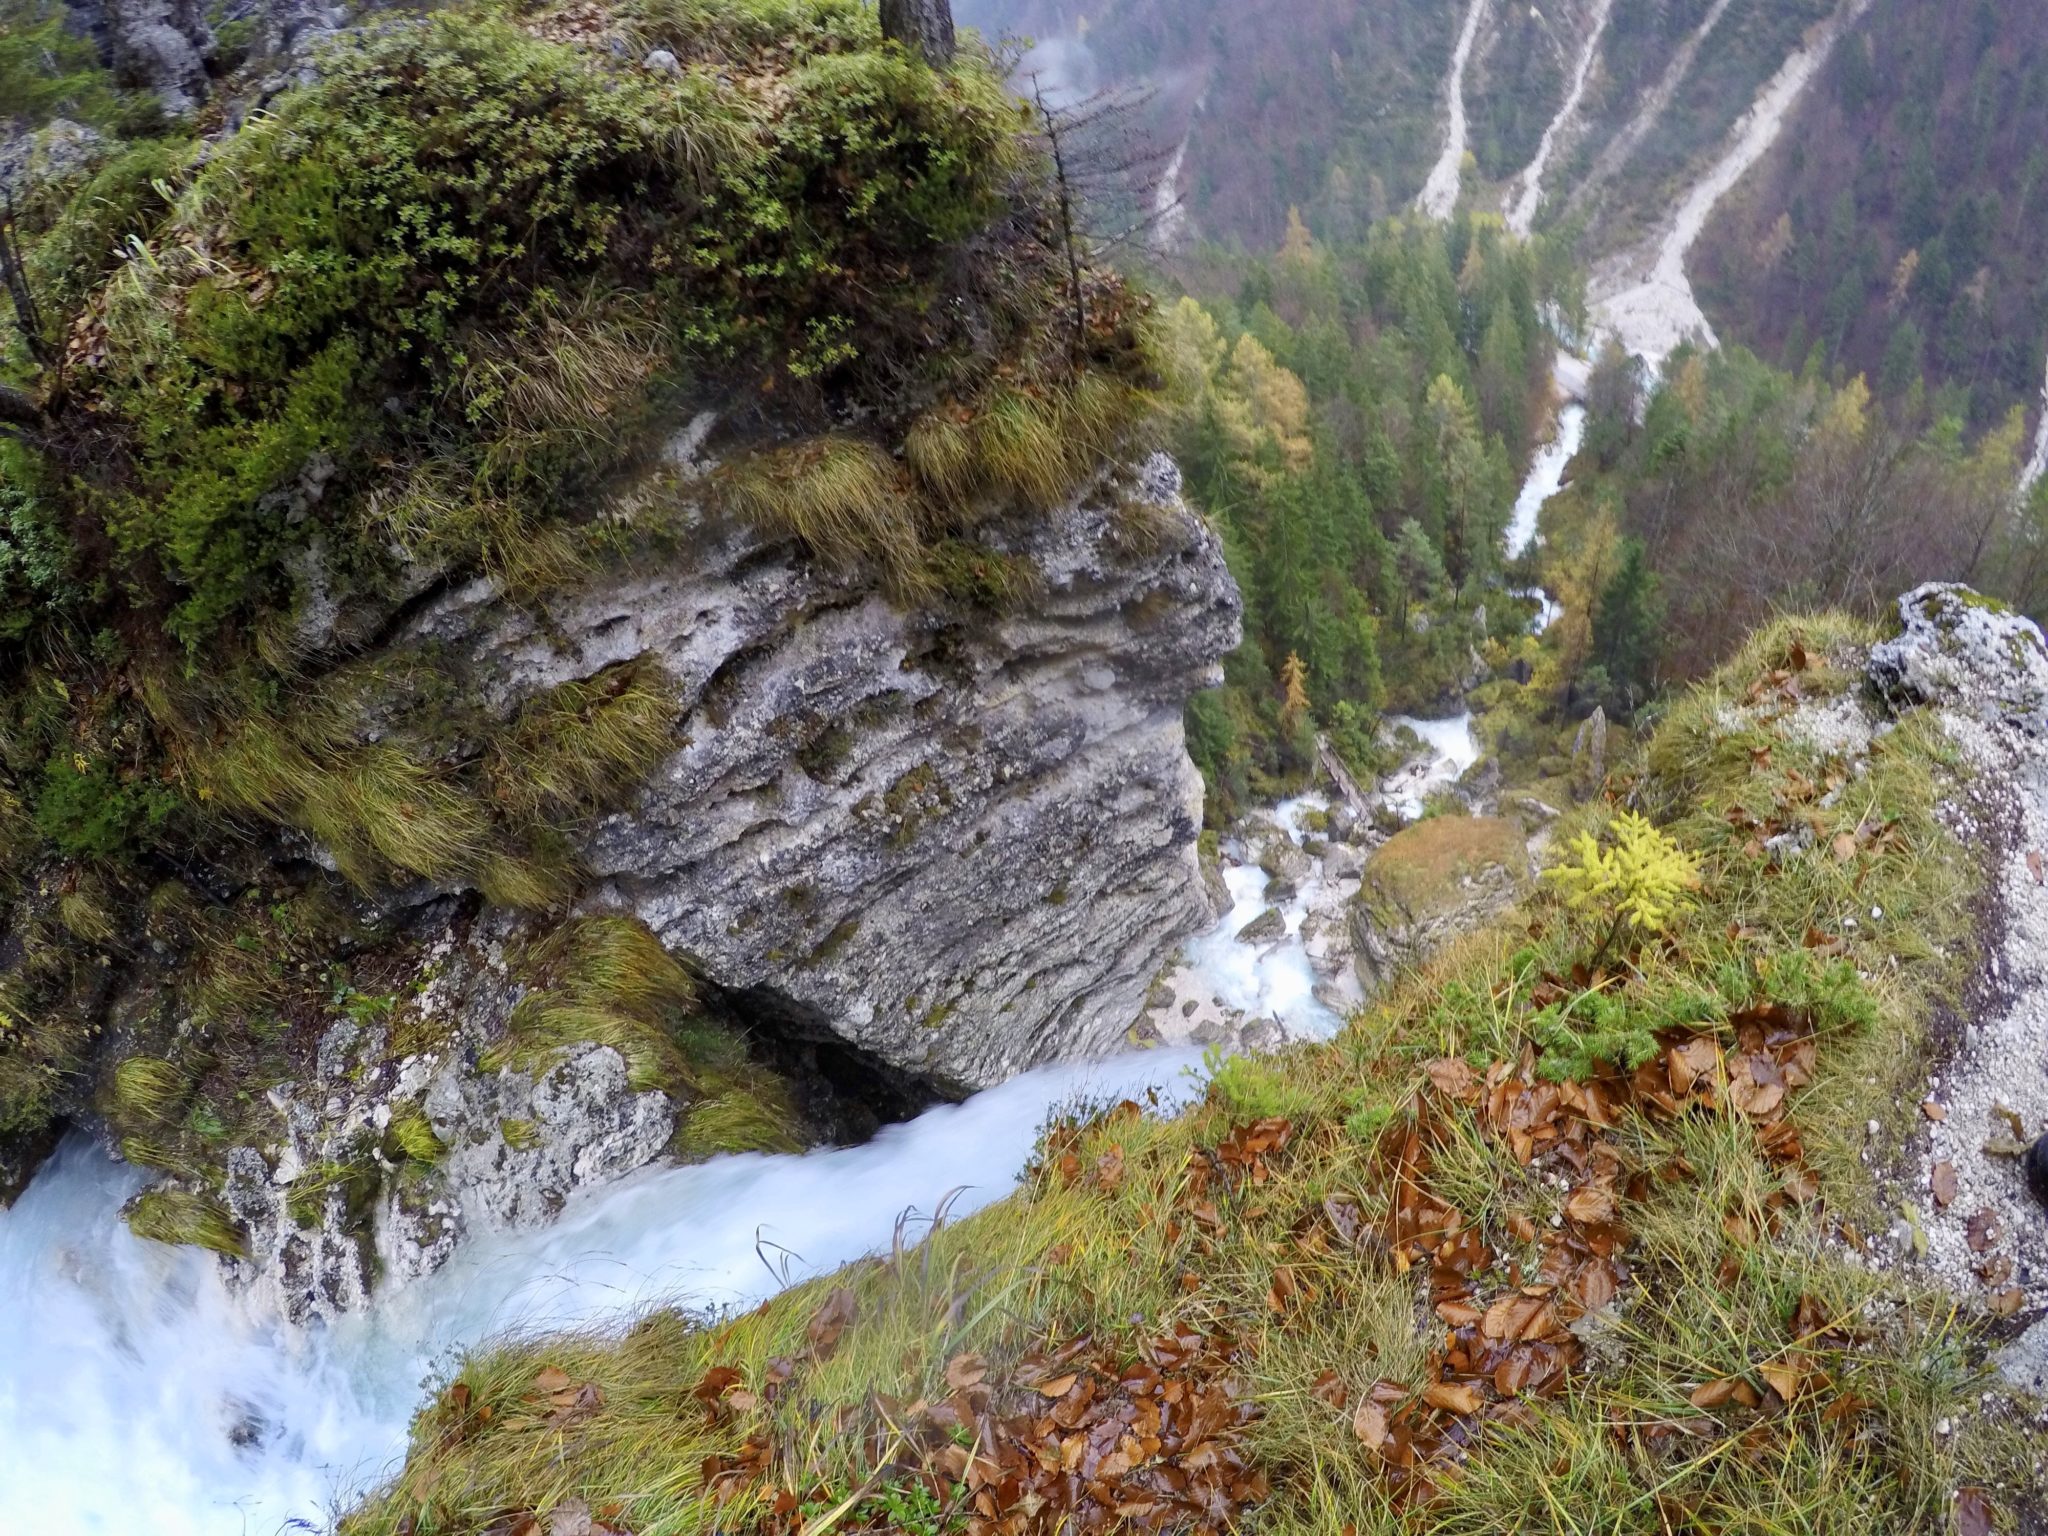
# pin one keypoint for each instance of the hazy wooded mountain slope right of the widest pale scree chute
(1902, 224)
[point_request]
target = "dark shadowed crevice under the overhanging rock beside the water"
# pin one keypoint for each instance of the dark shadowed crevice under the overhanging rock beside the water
(843, 1091)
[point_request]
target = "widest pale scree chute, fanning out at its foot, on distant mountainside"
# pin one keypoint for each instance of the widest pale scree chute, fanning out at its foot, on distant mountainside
(1654, 308)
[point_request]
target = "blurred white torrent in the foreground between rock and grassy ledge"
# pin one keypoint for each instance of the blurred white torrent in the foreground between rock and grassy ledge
(128, 1373)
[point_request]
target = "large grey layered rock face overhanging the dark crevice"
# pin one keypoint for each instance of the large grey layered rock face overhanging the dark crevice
(959, 841)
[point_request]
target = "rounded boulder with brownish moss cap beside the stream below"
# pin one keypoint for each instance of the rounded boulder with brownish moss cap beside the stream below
(1431, 884)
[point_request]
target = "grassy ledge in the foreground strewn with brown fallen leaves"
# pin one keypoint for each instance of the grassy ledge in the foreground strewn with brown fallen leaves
(1564, 1236)
